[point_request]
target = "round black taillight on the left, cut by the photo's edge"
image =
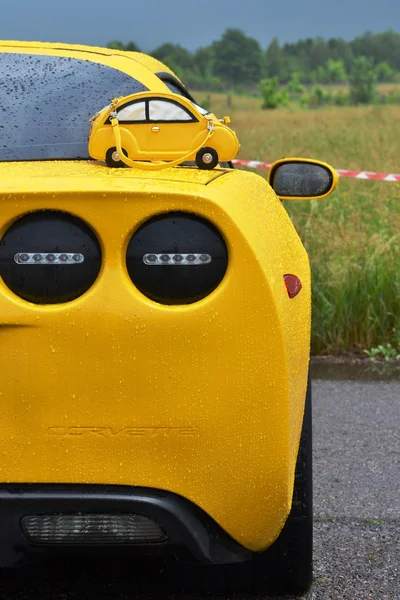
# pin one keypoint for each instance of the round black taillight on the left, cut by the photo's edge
(49, 257)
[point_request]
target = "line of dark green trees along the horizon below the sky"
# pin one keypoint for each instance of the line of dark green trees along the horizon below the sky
(238, 61)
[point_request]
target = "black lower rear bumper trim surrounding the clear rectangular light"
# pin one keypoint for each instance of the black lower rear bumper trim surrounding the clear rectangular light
(189, 531)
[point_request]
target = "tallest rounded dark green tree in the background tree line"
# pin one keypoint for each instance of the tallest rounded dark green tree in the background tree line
(237, 58)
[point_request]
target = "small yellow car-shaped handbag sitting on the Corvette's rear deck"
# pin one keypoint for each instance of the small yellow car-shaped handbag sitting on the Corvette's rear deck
(154, 127)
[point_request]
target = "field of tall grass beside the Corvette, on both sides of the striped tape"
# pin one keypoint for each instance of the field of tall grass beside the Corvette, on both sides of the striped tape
(352, 237)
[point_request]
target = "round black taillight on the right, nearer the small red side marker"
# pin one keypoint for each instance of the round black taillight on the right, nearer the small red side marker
(177, 258)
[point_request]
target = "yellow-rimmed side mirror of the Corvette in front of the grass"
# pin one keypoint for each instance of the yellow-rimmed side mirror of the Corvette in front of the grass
(302, 179)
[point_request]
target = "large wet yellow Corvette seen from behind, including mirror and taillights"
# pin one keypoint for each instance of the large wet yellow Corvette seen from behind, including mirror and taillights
(155, 333)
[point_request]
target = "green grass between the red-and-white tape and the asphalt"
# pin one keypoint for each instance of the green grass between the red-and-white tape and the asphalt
(356, 272)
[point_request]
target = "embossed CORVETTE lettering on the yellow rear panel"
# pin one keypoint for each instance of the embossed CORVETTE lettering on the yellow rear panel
(123, 431)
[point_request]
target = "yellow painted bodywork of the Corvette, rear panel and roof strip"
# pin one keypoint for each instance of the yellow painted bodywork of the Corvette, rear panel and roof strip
(205, 400)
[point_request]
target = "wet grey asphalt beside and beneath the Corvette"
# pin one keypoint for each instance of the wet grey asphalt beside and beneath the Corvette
(357, 511)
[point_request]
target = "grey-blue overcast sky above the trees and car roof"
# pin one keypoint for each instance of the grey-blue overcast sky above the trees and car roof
(191, 23)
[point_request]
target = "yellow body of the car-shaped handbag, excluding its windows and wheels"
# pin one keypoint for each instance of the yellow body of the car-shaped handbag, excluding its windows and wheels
(161, 140)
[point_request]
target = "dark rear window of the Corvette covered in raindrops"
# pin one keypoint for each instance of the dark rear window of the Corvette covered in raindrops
(46, 103)
